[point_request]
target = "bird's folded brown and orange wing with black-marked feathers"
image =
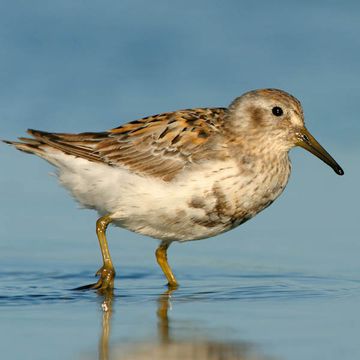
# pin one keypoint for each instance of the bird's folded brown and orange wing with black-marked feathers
(160, 145)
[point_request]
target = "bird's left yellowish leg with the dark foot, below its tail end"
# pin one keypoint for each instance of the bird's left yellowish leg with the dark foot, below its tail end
(107, 271)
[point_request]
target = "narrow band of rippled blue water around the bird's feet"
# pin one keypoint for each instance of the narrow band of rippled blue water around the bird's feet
(38, 287)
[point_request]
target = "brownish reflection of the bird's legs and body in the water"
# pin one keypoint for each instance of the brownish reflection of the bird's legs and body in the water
(168, 347)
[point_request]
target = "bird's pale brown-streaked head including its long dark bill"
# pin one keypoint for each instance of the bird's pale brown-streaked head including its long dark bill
(275, 120)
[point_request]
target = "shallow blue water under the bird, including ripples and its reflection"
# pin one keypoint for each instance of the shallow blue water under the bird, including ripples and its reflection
(213, 315)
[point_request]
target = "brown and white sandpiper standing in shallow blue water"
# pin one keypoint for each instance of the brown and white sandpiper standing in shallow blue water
(180, 176)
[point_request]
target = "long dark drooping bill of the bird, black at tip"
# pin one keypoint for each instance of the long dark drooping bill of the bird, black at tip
(308, 142)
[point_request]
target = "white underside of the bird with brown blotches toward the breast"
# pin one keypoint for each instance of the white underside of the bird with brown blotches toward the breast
(197, 205)
